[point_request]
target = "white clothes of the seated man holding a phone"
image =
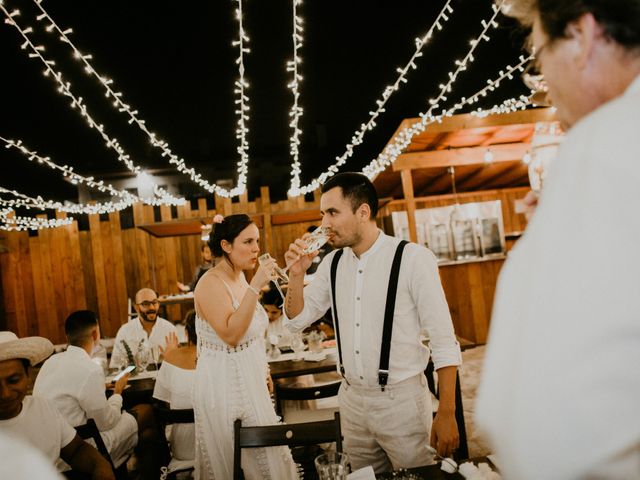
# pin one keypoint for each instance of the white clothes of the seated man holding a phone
(76, 385)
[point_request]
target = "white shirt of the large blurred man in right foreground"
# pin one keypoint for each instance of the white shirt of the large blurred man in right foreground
(560, 393)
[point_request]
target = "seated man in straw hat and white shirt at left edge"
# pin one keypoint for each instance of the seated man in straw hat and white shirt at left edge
(36, 421)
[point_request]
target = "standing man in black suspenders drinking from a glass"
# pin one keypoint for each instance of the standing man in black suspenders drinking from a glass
(391, 426)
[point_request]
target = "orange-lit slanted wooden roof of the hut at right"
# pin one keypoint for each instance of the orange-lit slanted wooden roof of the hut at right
(462, 141)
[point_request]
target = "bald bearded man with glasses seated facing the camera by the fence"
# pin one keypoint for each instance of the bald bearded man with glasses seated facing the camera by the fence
(146, 331)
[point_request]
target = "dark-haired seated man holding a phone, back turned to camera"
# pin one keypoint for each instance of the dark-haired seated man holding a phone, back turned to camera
(76, 386)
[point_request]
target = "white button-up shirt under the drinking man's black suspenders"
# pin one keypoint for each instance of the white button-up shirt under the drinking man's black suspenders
(361, 294)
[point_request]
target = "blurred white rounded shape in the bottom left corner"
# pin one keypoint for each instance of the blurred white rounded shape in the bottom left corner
(21, 461)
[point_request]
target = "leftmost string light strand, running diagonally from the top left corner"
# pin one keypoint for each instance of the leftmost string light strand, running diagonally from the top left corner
(77, 103)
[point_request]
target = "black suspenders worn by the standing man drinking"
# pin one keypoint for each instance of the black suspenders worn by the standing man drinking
(392, 288)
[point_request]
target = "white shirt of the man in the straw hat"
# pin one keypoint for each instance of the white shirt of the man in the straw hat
(40, 424)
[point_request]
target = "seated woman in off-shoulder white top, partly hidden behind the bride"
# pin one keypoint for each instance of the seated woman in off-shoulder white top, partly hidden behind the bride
(173, 386)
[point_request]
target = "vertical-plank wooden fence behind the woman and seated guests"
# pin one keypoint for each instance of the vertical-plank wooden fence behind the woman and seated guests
(45, 277)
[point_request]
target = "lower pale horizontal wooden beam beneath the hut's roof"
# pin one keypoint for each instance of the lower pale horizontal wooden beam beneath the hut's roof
(460, 156)
